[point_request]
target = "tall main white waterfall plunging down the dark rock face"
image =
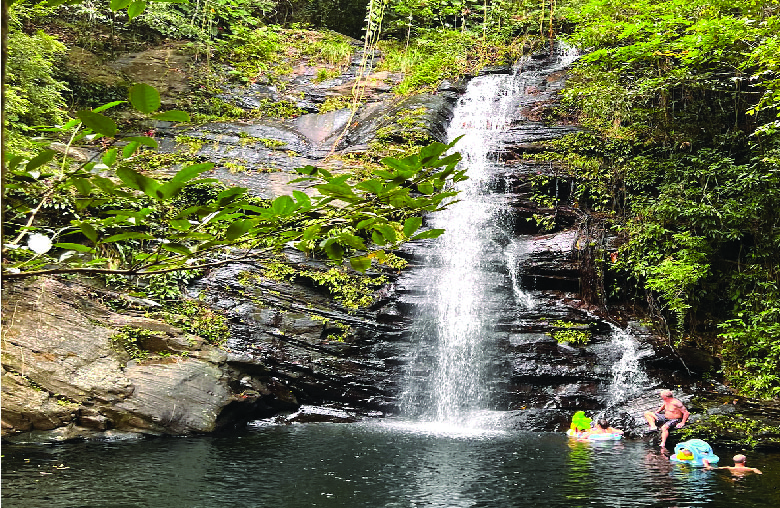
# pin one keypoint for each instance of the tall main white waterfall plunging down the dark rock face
(456, 368)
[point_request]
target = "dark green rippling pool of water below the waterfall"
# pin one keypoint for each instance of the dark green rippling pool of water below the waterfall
(372, 465)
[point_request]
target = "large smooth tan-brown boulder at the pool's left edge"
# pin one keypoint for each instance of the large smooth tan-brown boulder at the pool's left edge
(64, 371)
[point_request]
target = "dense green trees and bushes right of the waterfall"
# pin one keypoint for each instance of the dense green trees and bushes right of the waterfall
(681, 156)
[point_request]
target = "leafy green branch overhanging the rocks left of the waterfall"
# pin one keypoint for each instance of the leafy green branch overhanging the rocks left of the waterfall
(129, 225)
